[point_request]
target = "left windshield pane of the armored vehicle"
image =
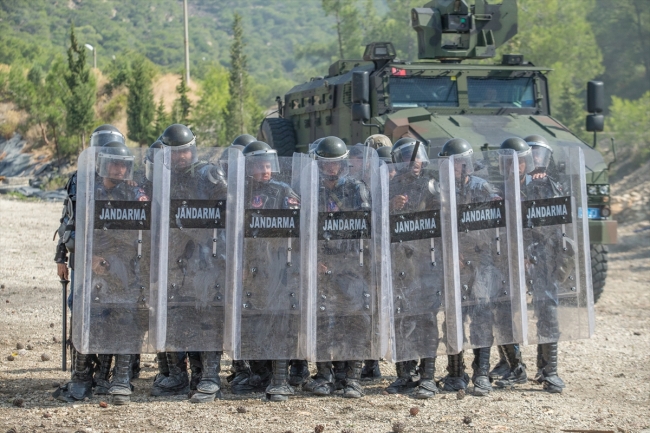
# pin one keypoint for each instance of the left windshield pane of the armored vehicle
(423, 92)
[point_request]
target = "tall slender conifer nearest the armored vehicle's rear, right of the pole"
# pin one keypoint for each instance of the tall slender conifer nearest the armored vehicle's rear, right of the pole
(235, 116)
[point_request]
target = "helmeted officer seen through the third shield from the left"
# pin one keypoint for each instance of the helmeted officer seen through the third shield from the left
(272, 277)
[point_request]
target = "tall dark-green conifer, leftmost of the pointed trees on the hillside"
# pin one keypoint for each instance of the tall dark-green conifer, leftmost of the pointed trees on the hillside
(80, 102)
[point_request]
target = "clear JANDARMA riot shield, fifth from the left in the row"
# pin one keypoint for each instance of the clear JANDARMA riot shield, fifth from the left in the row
(418, 309)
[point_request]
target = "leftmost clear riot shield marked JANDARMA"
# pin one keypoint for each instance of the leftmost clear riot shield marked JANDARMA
(111, 311)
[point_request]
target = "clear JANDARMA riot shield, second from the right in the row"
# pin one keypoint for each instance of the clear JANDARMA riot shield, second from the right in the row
(485, 228)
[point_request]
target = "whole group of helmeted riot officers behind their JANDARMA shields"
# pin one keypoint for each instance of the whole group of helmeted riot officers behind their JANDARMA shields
(345, 254)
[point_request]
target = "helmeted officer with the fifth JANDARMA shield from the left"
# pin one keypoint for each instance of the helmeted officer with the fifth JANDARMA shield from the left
(417, 280)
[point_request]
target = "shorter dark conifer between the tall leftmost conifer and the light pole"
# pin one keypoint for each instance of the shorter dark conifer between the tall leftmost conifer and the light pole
(140, 105)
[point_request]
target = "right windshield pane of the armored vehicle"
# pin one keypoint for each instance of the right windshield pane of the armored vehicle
(501, 92)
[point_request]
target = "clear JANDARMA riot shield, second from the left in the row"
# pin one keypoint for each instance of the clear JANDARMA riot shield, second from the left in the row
(190, 198)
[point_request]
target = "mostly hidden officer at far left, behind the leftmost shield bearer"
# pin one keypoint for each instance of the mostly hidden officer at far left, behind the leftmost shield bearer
(83, 365)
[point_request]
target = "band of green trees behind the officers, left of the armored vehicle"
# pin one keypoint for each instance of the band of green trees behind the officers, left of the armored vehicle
(61, 103)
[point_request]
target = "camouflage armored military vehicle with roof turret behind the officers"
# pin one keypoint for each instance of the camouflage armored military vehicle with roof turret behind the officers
(443, 95)
